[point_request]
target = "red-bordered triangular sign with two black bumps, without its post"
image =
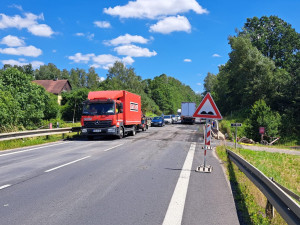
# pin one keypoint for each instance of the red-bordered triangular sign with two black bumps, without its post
(208, 109)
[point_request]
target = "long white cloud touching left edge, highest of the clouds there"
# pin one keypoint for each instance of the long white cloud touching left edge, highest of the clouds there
(28, 22)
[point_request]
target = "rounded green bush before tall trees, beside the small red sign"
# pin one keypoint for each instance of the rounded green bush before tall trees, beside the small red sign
(262, 116)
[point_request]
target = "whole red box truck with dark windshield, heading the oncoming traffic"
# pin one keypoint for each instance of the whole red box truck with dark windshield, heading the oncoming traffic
(115, 113)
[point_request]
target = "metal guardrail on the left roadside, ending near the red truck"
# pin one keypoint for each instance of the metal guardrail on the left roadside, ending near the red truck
(34, 133)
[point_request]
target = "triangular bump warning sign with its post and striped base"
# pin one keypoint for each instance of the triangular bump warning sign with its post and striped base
(207, 110)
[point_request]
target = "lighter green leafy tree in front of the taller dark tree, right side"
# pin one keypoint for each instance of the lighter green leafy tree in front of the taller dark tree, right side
(247, 77)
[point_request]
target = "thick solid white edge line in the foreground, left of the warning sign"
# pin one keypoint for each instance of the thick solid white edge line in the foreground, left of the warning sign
(175, 210)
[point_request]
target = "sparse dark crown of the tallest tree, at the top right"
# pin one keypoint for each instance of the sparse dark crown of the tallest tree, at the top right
(275, 39)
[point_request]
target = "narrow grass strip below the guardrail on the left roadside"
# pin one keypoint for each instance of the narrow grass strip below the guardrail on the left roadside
(24, 142)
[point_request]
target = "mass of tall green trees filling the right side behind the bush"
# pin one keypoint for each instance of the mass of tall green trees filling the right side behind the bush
(264, 64)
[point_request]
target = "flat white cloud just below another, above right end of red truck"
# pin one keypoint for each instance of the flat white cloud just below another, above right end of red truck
(134, 51)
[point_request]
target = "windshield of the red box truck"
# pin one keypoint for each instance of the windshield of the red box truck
(99, 109)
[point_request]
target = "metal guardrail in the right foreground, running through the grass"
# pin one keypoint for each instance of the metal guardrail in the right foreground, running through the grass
(285, 205)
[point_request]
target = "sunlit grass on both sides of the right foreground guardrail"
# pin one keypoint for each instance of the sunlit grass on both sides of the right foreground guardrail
(249, 200)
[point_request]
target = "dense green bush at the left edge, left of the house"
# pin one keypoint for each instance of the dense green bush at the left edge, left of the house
(24, 101)
